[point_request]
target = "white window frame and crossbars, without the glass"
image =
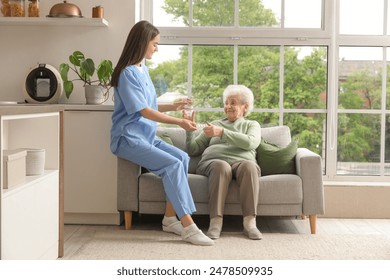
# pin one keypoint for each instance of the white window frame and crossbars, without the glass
(327, 36)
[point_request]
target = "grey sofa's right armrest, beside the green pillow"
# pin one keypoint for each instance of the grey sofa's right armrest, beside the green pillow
(309, 168)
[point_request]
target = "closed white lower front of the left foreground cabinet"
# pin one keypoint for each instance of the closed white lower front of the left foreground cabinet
(30, 219)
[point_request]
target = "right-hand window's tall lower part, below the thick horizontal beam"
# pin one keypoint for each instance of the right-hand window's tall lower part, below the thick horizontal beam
(360, 96)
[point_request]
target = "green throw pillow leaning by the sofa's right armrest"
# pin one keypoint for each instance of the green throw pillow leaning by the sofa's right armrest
(273, 159)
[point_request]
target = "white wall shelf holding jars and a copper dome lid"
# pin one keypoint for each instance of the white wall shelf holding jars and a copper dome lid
(47, 21)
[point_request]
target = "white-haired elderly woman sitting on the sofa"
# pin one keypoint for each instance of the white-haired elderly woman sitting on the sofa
(228, 148)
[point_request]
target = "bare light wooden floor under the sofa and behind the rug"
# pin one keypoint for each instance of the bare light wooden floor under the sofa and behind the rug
(77, 235)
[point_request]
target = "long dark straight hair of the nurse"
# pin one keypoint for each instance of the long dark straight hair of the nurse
(135, 47)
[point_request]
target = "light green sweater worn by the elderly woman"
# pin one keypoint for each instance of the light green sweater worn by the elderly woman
(238, 142)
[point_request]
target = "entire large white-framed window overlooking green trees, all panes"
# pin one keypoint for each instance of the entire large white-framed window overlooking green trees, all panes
(280, 49)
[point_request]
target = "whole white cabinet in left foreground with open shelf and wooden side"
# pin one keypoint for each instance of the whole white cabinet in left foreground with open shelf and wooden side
(31, 214)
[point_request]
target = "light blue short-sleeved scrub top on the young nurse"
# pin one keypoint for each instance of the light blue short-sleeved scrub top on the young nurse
(135, 91)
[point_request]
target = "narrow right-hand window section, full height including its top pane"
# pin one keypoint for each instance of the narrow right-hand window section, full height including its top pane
(362, 141)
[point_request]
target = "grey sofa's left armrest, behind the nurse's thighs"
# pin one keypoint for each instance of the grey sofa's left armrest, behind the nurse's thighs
(127, 188)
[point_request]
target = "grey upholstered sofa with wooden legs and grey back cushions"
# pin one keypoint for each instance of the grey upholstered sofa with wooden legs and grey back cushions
(283, 195)
